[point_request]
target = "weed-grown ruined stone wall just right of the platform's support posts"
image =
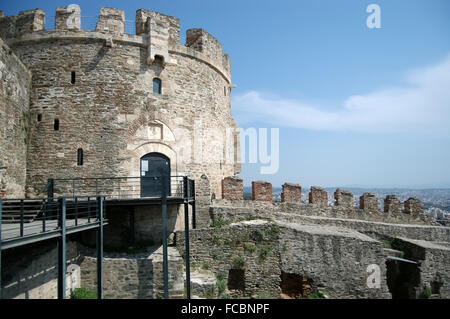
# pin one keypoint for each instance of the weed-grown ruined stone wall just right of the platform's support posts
(250, 247)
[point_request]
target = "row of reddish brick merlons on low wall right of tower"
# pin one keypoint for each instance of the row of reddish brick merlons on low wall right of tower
(318, 203)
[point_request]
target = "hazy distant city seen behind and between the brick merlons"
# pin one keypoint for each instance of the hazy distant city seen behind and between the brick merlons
(436, 201)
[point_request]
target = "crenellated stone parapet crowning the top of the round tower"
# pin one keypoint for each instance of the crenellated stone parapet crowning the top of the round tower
(158, 32)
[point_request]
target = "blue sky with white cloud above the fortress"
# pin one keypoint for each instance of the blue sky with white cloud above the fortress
(355, 106)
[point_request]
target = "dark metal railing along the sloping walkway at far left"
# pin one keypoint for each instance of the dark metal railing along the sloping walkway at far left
(29, 218)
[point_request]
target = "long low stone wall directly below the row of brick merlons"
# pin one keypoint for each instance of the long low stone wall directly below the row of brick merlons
(390, 225)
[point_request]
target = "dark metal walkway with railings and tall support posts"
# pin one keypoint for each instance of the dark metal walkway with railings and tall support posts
(26, 221)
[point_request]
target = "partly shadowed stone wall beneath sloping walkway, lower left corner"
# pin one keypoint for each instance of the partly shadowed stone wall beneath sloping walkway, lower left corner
(31, 272)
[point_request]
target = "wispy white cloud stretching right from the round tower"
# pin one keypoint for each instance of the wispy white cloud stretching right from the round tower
(421, 106)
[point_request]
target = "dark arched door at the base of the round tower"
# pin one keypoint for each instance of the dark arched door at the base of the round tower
(154, 166)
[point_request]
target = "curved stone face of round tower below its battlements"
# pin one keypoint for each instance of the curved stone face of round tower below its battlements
(109, 109)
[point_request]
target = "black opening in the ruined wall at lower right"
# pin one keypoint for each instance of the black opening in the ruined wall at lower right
(403, 279)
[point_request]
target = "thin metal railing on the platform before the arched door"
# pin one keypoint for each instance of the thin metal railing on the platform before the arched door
(122, 188)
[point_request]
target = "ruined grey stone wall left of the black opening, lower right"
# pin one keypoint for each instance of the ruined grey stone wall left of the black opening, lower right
(333, 258)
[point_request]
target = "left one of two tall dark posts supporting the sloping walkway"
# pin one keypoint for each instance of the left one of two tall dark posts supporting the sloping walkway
(62, 250)
